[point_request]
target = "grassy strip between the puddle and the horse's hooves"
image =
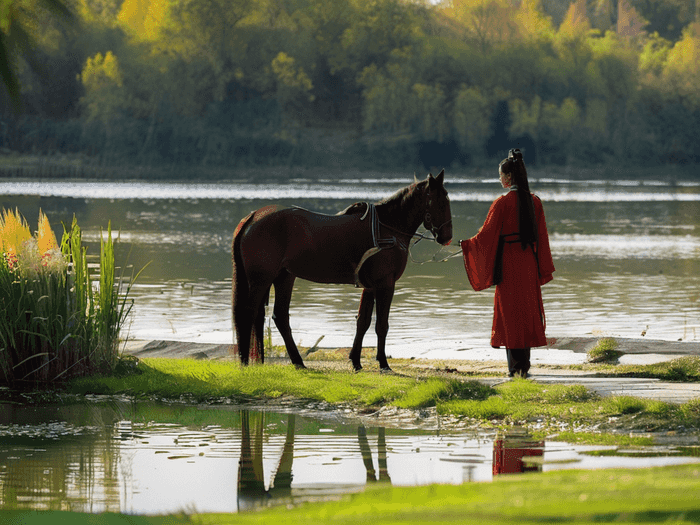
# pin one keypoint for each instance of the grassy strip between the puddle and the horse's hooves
(571, 411)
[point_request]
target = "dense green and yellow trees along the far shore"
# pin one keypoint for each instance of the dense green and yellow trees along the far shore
(191, 88)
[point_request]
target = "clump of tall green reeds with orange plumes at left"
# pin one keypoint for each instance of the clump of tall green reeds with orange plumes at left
(56, 319)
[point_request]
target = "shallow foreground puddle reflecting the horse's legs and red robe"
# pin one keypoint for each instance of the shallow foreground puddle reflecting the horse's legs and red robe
(147, 458)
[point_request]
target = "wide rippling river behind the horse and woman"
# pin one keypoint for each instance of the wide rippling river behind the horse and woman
(627, 256)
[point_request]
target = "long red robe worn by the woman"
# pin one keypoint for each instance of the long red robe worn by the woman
(518, 315)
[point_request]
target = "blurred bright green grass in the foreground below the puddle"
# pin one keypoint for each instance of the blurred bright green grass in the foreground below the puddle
(653, 495)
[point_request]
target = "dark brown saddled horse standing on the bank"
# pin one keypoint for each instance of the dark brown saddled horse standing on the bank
(365, 245)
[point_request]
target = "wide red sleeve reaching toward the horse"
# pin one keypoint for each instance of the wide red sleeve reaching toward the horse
(479, 252)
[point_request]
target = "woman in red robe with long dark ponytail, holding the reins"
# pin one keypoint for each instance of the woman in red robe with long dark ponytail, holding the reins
(511, 251)
